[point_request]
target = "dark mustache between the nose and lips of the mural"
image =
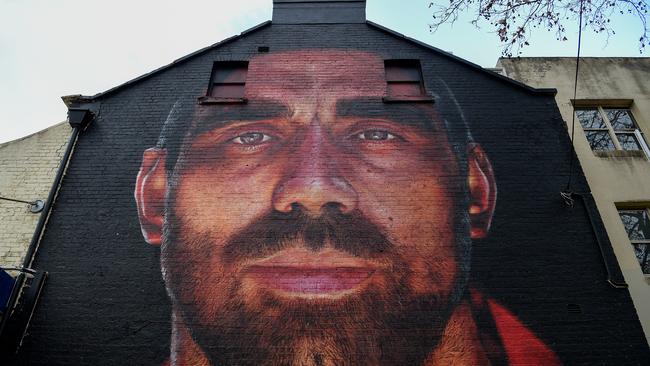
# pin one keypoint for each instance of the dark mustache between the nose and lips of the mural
(351, 232)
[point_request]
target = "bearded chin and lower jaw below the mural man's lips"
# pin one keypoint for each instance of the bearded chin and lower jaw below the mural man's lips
(362, 327)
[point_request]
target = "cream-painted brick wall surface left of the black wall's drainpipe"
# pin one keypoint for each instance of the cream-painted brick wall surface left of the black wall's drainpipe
(27, 169)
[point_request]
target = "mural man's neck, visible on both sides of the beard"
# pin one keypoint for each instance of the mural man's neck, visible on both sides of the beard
(459, 345)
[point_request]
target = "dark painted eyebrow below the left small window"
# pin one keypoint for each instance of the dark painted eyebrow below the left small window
(216, 116)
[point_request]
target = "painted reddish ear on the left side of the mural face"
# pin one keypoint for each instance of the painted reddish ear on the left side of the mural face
(150, 193)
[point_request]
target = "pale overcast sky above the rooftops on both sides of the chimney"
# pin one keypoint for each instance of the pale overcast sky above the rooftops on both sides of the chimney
(51, 48)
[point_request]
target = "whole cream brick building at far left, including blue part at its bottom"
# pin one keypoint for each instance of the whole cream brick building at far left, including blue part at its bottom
(28, 172)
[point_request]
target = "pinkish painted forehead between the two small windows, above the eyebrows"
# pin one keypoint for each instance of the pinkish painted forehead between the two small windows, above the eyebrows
(324, 73)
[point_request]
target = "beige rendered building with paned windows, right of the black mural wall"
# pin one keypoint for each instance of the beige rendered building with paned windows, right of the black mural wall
(609, 118)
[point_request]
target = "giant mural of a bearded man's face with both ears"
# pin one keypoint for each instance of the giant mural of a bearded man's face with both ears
(315, 224)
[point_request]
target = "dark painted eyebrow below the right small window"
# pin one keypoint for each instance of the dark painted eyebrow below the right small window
(411, 114)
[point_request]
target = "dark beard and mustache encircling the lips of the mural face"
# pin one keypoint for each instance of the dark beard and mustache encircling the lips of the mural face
(381, 325)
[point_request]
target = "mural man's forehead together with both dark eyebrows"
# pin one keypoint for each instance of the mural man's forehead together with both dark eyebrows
(300, 84)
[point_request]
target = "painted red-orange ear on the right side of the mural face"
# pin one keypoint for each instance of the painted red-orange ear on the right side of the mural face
(482, 191)
